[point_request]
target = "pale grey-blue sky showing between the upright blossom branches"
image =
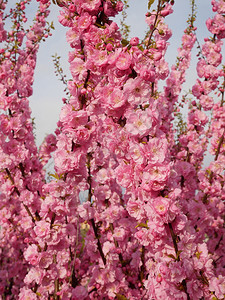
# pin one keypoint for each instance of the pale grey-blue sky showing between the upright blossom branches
(46, 100)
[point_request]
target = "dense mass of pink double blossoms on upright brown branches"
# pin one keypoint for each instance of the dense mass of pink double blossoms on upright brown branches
(152, 223)
